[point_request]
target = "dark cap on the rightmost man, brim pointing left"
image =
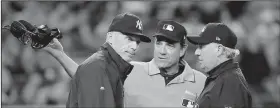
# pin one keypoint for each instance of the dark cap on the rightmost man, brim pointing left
(217, 33)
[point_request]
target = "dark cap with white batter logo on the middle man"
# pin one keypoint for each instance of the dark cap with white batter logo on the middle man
(171, 30)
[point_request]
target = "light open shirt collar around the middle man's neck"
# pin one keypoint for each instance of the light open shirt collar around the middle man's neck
(187, 75)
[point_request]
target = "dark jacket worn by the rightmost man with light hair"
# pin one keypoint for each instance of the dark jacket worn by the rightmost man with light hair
(225, 87)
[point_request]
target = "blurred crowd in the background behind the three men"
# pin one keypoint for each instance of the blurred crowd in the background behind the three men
(33, 77)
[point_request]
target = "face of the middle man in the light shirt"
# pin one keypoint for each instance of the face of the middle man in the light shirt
(166, 52)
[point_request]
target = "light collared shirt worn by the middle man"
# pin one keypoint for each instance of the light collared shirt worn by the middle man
(145, 87)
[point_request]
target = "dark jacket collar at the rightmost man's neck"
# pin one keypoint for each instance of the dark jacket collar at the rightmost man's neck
(221, 68)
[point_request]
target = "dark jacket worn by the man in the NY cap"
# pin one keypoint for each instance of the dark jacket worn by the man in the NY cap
(99, 80)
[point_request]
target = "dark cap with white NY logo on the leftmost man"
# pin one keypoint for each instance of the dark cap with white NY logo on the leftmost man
(129, 24)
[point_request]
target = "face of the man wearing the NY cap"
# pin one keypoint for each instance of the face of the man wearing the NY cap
(125, 45)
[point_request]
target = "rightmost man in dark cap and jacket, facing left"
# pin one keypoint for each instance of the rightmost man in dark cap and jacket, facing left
(225, 86)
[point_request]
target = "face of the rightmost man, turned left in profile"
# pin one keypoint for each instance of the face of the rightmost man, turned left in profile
(207, 56)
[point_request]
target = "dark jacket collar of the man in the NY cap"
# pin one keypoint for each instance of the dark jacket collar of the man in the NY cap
(112, 56)
